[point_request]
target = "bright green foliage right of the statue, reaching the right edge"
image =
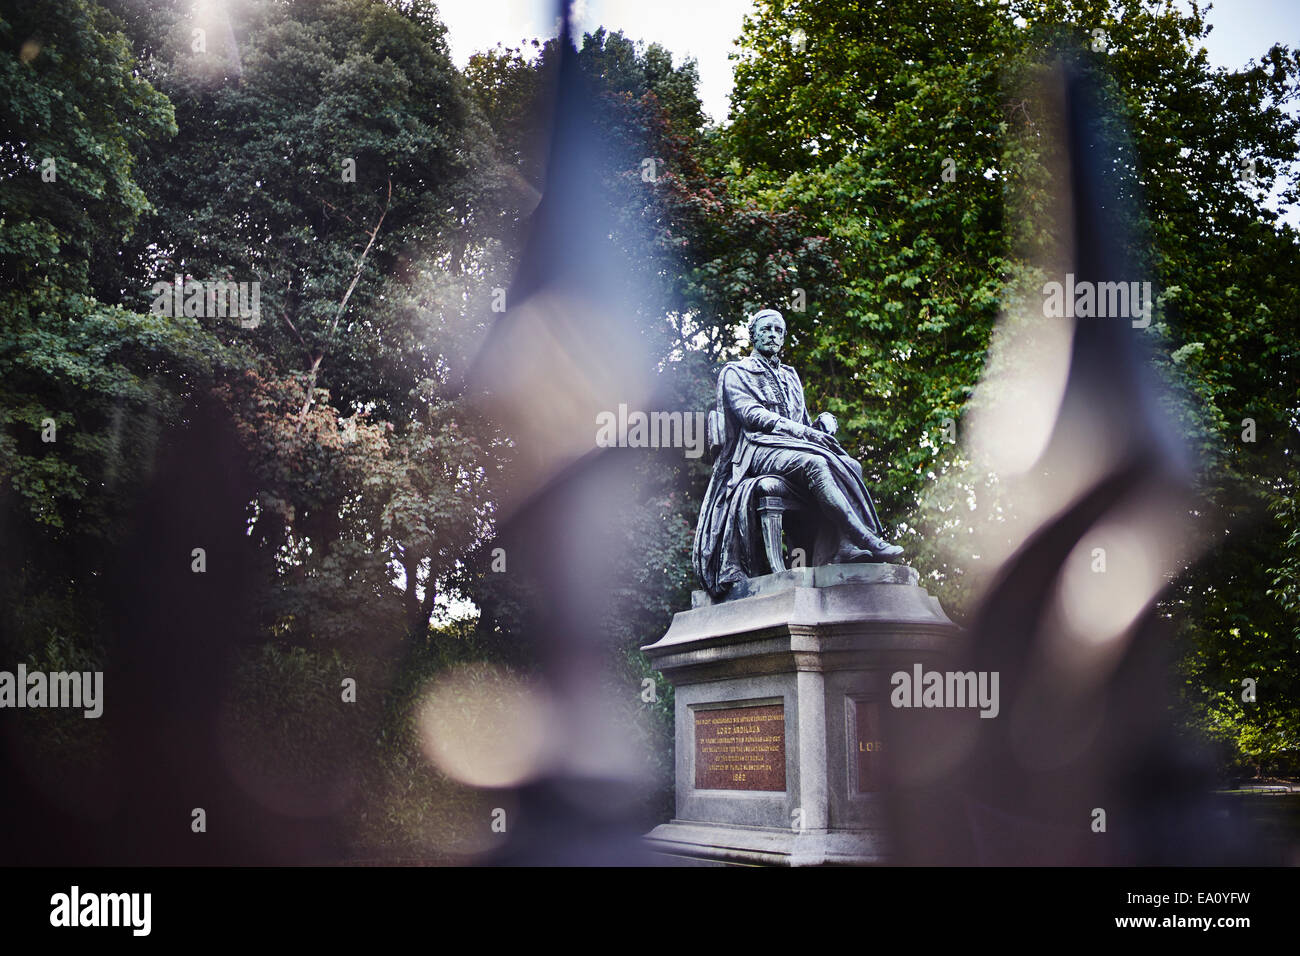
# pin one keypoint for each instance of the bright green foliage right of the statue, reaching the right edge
(855, 129)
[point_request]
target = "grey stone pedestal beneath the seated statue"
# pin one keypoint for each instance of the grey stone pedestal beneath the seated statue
(778, 713)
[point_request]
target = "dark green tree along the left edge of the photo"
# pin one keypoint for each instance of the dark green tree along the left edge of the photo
(86, 386)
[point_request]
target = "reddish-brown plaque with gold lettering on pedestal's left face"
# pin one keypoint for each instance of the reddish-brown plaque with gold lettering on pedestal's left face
(742, 749)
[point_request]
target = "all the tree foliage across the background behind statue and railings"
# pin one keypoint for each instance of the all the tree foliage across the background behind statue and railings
(883, 184)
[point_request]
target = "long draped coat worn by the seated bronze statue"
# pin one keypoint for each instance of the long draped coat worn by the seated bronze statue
(760, 406)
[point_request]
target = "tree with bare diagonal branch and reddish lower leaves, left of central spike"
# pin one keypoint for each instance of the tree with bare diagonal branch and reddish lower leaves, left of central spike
(341, 165)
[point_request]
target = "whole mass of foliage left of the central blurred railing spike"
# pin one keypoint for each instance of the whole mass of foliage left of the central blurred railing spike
(370, 300)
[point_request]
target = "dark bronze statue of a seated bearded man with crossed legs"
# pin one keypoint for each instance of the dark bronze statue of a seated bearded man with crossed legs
(766, 435)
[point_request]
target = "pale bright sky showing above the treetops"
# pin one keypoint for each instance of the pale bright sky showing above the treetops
(708, 31)
